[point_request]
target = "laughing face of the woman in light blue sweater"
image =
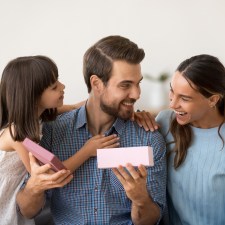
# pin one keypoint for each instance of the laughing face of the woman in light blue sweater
(190, 106)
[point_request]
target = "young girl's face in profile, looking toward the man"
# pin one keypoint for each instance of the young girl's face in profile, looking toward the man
(52, 97)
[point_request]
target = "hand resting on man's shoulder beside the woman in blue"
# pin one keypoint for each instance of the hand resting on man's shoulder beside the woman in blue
(145, 120)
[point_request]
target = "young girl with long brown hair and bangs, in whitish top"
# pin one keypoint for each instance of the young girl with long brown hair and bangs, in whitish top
(29, 95)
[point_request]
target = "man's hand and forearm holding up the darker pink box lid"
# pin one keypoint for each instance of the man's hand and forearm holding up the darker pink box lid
(31, 198)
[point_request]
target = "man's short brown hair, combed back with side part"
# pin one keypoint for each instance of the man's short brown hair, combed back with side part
(99, 58)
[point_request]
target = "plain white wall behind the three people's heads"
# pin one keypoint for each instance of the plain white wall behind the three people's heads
(168, 30)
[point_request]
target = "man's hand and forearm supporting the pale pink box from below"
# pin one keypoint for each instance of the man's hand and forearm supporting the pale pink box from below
(144, 210)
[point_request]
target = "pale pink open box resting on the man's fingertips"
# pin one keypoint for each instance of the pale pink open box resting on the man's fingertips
(113, 157)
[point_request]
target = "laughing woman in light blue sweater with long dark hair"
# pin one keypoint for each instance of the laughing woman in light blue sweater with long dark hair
(195, 132)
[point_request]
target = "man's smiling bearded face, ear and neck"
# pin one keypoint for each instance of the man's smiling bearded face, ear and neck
(105, 107)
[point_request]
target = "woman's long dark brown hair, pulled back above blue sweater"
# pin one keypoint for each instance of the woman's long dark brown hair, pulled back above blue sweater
(207, 74)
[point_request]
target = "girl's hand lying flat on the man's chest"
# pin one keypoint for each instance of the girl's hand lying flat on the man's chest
(101, 141)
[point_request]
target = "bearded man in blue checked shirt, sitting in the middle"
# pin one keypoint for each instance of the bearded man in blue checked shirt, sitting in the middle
(112, 73)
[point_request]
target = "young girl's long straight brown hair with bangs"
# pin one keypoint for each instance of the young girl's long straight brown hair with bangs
(22, 83)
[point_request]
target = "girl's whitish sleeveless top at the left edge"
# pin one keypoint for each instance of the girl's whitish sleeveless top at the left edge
(12, 173)
